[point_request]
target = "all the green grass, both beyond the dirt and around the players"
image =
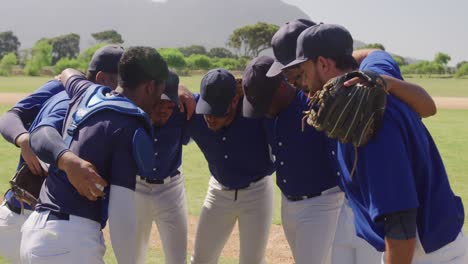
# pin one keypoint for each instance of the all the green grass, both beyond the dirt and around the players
(448, 129)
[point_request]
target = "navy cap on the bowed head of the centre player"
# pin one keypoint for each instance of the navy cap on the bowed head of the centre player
(217, 89)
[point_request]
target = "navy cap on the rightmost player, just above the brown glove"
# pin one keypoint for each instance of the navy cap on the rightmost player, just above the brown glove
(327, 40)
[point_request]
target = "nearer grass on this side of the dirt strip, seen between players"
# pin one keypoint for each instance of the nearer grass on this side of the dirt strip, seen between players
(446, 127)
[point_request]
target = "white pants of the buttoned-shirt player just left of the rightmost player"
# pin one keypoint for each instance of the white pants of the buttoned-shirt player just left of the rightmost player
(310, 225)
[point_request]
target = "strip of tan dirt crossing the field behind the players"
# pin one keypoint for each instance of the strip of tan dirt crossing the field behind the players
(441, 102)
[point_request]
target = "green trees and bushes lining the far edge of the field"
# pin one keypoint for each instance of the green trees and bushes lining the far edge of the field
(58, 53)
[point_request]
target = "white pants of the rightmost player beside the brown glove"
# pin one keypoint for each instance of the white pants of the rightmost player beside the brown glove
(456, 252)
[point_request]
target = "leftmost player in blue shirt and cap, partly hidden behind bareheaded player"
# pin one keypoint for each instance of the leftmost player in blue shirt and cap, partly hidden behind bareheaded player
(46, 106)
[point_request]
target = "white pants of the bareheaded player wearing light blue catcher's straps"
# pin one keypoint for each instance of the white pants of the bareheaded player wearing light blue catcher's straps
(74, 241)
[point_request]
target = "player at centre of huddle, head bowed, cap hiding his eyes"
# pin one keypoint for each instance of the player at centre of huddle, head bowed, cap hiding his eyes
(240, 189)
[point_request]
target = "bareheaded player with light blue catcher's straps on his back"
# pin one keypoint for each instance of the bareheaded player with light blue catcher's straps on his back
(107, 129)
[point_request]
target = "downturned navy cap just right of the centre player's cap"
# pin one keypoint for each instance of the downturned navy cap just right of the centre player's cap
(259, 88)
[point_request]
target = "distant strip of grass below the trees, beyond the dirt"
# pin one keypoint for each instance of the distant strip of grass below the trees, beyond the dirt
(435, 87)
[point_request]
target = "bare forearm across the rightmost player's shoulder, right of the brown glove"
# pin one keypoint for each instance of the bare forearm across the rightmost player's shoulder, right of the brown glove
(413, 95)
